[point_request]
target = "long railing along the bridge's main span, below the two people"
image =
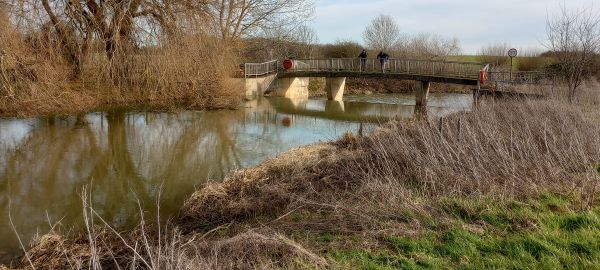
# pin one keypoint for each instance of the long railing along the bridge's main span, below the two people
(400, 66)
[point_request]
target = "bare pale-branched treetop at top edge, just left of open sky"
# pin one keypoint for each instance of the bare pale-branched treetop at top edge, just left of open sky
(234, 19)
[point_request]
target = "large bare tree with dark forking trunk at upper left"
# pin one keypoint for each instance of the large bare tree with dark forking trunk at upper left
(76, 24)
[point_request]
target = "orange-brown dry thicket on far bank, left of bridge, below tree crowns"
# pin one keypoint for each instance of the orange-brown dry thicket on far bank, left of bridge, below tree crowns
(182, 71)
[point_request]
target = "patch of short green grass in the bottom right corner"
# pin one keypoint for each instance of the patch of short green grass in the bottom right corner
(545, 233)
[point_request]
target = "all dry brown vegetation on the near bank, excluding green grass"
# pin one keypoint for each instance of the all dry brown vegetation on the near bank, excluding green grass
(364, 188)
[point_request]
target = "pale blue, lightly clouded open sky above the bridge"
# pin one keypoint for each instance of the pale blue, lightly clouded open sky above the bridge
(476, 23)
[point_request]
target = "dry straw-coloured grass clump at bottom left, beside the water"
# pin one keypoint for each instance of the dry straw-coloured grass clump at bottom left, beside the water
(154, 246)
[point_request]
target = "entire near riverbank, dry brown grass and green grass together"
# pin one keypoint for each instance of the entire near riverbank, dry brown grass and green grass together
(502, 187)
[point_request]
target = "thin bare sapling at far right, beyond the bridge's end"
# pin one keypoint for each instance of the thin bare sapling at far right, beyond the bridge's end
(573, 37)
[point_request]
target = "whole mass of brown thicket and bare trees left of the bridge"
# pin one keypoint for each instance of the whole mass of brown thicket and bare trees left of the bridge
(60, 57)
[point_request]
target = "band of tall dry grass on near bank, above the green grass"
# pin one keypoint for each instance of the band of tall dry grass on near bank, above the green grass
(504, 150)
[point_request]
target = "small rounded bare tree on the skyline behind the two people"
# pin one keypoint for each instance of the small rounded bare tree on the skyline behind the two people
(382, 34)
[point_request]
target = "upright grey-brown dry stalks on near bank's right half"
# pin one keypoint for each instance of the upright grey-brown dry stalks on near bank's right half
(507, 150)
